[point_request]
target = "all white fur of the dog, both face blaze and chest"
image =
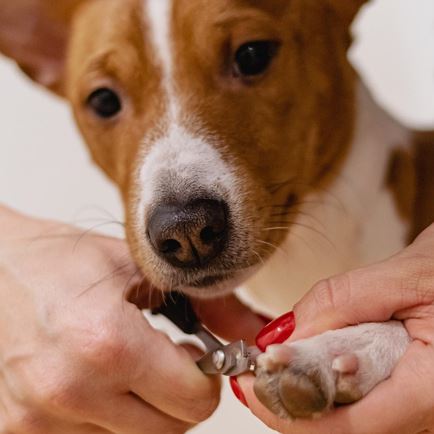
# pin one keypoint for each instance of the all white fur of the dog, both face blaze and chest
(355, 222)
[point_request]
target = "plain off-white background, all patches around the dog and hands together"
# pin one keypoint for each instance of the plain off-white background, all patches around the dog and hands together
(45, 169)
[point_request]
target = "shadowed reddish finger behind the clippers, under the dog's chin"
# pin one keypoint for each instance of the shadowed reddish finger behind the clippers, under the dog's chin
(229, 318)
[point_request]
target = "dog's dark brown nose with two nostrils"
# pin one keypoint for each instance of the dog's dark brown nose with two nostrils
(189, 235)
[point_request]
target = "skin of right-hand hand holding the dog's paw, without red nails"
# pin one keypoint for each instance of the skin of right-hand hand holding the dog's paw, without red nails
(402, 288)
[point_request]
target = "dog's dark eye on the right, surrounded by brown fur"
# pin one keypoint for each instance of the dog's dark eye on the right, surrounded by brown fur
(253, 58)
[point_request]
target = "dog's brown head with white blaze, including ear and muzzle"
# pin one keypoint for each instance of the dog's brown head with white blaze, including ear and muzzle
(214, 117)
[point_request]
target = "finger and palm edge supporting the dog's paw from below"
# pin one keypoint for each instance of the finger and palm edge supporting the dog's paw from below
(400, 405)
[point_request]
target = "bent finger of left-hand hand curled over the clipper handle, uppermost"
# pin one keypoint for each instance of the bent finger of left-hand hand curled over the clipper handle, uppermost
(166, 376)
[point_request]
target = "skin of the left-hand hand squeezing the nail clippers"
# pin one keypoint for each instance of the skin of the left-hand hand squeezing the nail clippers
(76, 354)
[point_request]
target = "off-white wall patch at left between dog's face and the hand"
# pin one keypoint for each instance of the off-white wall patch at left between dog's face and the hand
(44, 167)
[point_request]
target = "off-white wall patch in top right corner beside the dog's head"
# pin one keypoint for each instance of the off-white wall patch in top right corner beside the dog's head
(395, 53)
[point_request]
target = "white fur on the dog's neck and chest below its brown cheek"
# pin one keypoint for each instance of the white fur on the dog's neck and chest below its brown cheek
(353, 223)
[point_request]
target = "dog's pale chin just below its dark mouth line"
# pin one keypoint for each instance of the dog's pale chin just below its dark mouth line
(216, 286)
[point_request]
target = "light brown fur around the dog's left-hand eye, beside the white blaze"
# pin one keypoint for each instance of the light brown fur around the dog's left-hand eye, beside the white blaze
(115, 56)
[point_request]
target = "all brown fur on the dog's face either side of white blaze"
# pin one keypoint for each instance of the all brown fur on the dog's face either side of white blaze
(286, 132)
